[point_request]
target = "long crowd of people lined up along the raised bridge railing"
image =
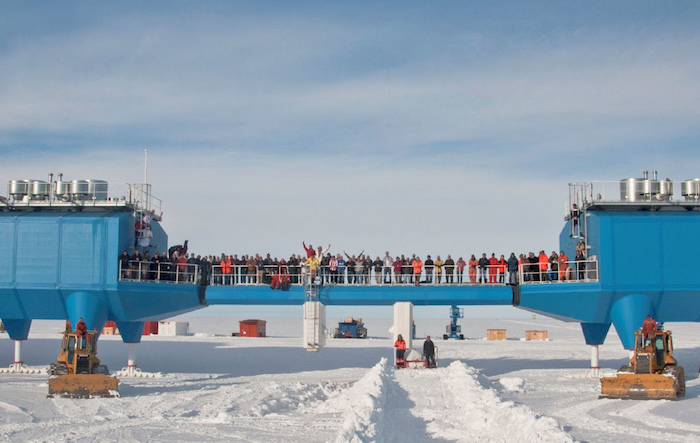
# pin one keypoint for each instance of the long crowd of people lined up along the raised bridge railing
(318, 264)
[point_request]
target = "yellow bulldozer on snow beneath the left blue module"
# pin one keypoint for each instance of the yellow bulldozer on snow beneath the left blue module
(78, 372)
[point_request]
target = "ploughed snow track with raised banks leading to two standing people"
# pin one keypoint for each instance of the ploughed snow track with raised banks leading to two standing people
(446, 404)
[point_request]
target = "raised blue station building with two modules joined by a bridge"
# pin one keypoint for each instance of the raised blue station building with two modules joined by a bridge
(60, 243)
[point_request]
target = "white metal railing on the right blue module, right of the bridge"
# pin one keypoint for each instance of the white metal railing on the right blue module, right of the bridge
(566, 272)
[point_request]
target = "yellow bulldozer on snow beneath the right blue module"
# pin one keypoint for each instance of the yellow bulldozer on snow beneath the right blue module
(652, 372)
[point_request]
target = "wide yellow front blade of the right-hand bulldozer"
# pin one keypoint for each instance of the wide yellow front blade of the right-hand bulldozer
(640, 386)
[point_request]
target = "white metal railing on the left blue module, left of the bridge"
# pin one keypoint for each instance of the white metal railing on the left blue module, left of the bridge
(160, 272)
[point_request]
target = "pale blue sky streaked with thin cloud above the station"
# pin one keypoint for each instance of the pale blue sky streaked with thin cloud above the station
(411, 127)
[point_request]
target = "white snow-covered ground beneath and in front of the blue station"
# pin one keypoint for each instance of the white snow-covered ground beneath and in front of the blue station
(215, 387)
